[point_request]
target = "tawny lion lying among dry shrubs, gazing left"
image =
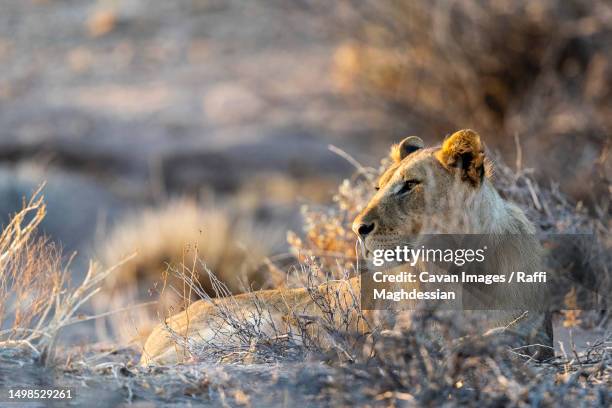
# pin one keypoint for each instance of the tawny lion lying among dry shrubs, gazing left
(444, 189)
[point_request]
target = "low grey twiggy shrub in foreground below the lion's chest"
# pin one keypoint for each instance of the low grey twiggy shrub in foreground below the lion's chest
(412, 367)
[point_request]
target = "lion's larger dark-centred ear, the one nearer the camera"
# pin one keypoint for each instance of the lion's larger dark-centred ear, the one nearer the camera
(464, 151)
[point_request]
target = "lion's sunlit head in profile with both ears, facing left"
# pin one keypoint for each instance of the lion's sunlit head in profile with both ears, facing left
(424, 190)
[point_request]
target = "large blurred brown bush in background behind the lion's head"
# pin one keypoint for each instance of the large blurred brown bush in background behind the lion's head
(506, 67)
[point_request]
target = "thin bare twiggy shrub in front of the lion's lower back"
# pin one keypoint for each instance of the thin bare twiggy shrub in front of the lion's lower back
(251, 332)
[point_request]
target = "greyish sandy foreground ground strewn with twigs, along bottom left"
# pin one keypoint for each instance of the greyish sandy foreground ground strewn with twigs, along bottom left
(102, 376)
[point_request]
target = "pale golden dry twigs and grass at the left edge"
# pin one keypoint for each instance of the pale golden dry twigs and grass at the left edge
(36, 300)
